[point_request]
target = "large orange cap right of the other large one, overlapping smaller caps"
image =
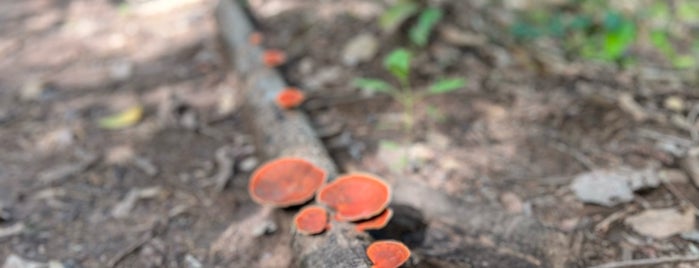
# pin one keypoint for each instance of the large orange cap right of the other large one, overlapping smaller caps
(356, 196)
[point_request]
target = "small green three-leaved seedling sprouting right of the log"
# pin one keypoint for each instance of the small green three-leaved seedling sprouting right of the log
(397, 62)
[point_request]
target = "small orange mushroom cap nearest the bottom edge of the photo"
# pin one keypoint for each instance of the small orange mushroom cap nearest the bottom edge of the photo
(387, 254)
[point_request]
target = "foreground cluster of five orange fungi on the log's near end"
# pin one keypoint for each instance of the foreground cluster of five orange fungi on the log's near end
(358, 198)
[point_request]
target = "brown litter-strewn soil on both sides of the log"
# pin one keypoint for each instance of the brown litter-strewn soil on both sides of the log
(516, 136)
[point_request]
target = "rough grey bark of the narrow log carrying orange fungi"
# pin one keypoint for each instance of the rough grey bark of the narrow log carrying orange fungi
(285, 133)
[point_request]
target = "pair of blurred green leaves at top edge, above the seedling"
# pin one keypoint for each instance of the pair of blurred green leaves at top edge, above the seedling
(402, 11)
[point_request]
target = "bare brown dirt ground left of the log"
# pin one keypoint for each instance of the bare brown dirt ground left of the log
(78, 195)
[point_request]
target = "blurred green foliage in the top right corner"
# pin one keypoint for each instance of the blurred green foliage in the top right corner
(619, 32)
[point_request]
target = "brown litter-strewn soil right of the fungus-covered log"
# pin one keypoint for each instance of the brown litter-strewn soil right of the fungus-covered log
(516, 136)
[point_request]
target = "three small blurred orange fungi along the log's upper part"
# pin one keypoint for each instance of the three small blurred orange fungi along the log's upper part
(287, 98)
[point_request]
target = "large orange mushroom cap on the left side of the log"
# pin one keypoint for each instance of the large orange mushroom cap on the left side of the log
(285, 182)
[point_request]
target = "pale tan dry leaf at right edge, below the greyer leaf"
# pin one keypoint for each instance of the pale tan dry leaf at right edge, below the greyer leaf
(662, 223)
